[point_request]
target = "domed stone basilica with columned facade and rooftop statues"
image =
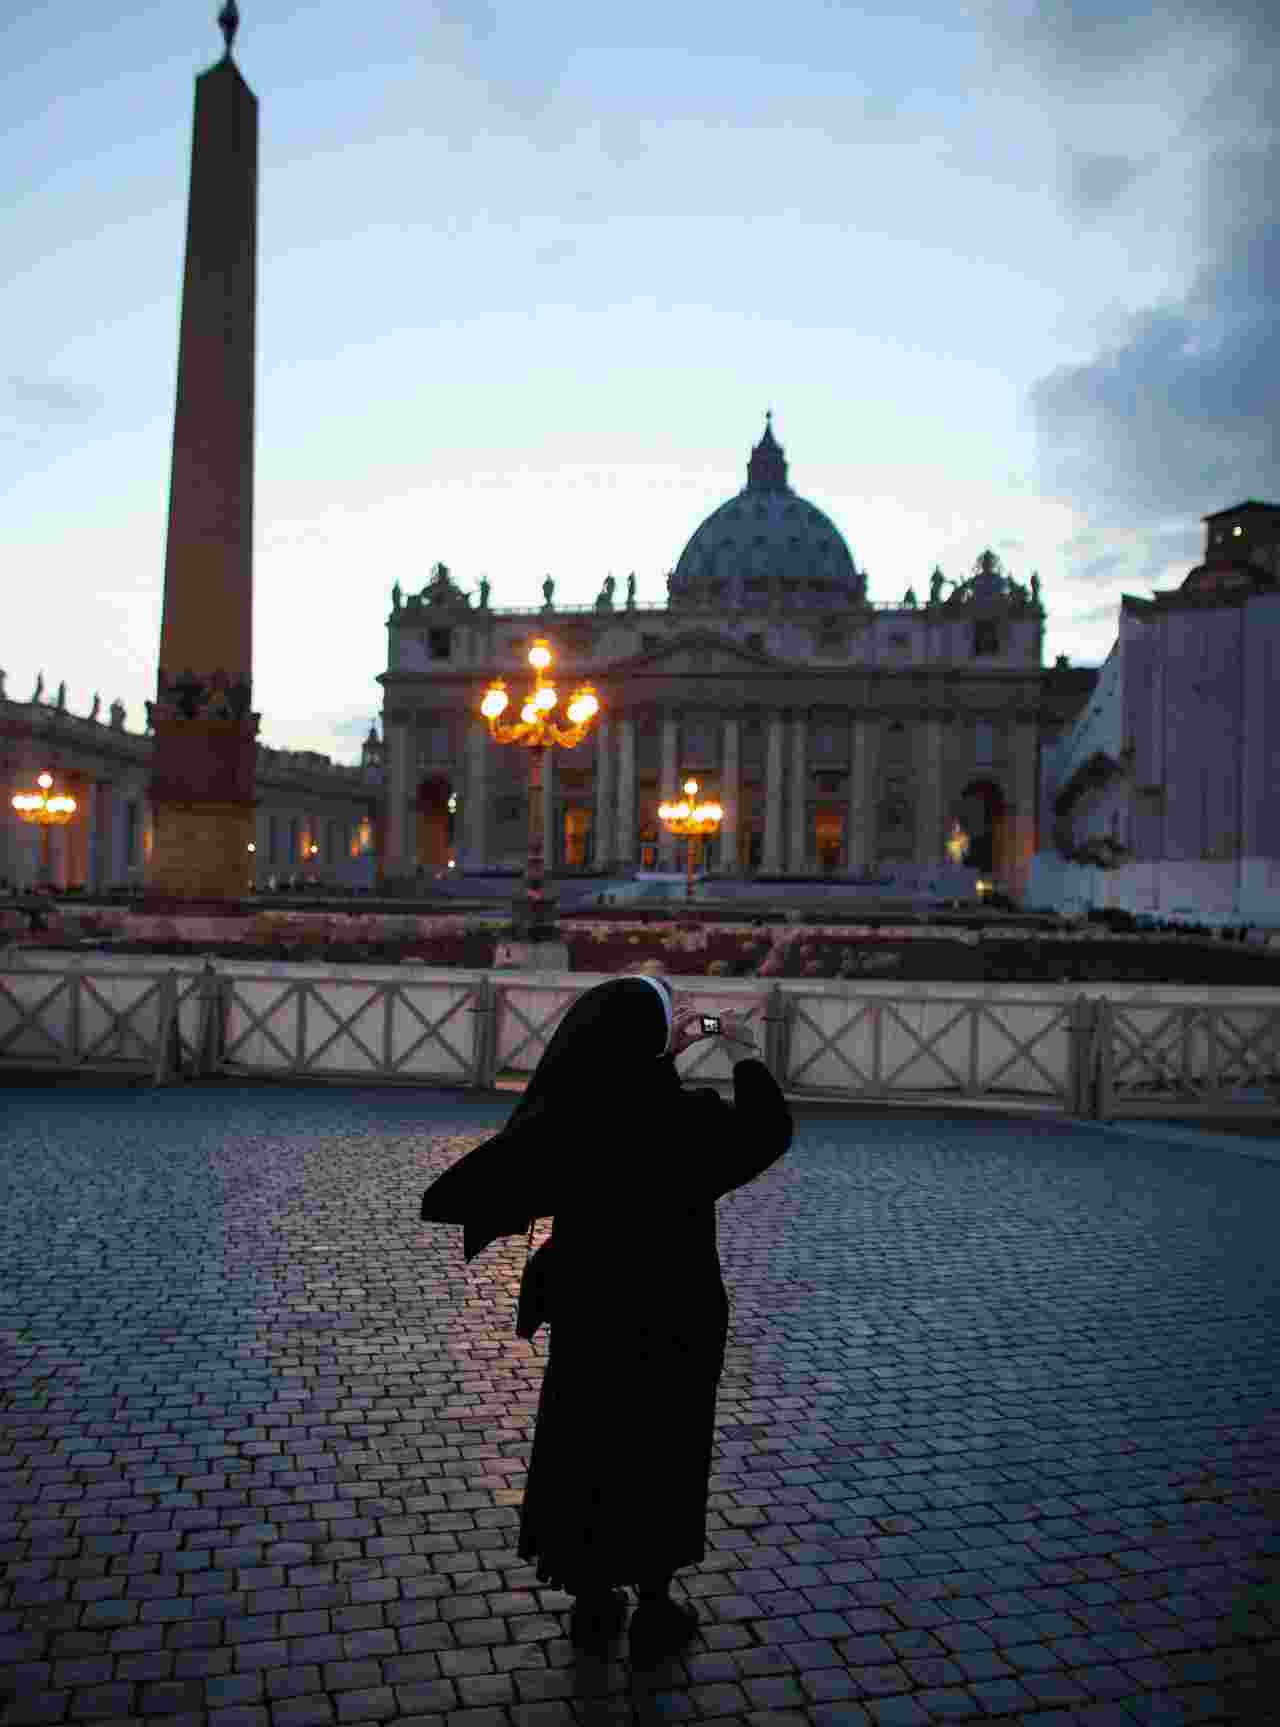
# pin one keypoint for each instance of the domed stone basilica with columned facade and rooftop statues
(842, 737)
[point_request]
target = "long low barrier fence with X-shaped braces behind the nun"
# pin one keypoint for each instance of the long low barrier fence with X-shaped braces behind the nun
(1080, 1054)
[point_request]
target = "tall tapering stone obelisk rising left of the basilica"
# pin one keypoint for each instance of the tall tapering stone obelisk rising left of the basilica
(203, 785)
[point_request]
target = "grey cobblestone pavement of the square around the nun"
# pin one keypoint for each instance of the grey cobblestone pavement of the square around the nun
(999, 1431)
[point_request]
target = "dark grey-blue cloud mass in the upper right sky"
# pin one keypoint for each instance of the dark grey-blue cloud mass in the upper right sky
(1177, 415)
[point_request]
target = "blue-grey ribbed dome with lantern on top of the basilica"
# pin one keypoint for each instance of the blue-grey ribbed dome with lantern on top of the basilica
(766, 543)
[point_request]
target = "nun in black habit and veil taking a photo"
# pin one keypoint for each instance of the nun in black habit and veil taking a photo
(630, 1165)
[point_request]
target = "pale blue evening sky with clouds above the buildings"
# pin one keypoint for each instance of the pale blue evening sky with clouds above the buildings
(531, 275)
